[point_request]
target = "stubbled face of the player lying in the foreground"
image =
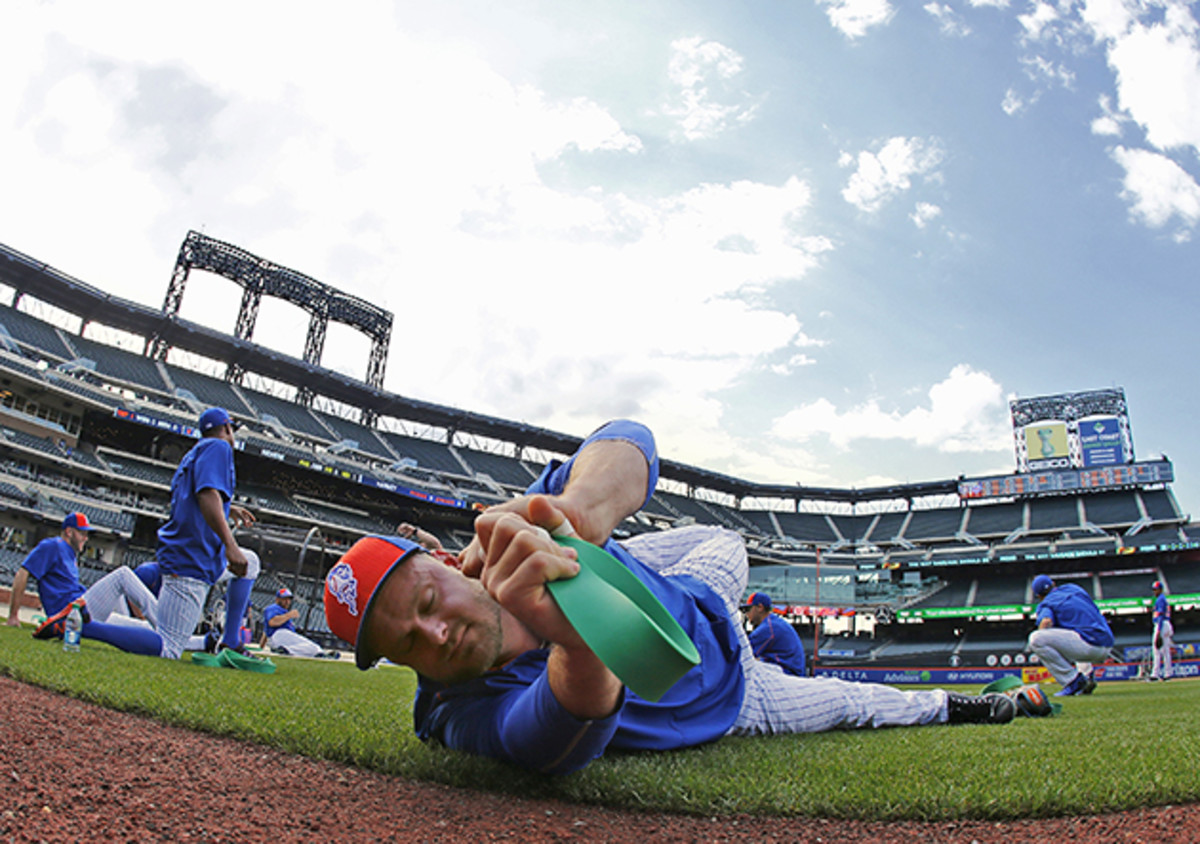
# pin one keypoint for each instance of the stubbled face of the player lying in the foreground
(433, 619)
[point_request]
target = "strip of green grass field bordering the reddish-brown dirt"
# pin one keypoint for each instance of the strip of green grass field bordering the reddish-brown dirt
(1127, 746)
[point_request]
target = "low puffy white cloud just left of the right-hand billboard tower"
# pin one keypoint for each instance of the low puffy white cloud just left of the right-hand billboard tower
(965, 414)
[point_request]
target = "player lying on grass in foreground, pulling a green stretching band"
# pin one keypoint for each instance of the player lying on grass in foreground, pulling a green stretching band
(503, 674)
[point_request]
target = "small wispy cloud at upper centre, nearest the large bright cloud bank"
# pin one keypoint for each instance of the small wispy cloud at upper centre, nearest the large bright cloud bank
(706, 101)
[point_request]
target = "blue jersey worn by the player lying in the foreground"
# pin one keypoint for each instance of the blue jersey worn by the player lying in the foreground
(512, 714)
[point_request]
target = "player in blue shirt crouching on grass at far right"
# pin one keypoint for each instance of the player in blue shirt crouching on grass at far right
(1071, 630)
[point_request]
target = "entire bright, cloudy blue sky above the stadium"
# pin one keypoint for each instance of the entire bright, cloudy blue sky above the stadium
(820, 242)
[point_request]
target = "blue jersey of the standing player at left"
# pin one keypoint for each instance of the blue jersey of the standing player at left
(188, 547)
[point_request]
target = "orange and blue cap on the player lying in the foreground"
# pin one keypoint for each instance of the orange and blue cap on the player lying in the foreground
(352, 584)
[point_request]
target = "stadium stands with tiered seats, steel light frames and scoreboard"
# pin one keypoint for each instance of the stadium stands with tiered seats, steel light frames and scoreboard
(904, 584)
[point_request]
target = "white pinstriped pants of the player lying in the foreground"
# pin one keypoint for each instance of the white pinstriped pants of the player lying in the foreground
(778, 703)
